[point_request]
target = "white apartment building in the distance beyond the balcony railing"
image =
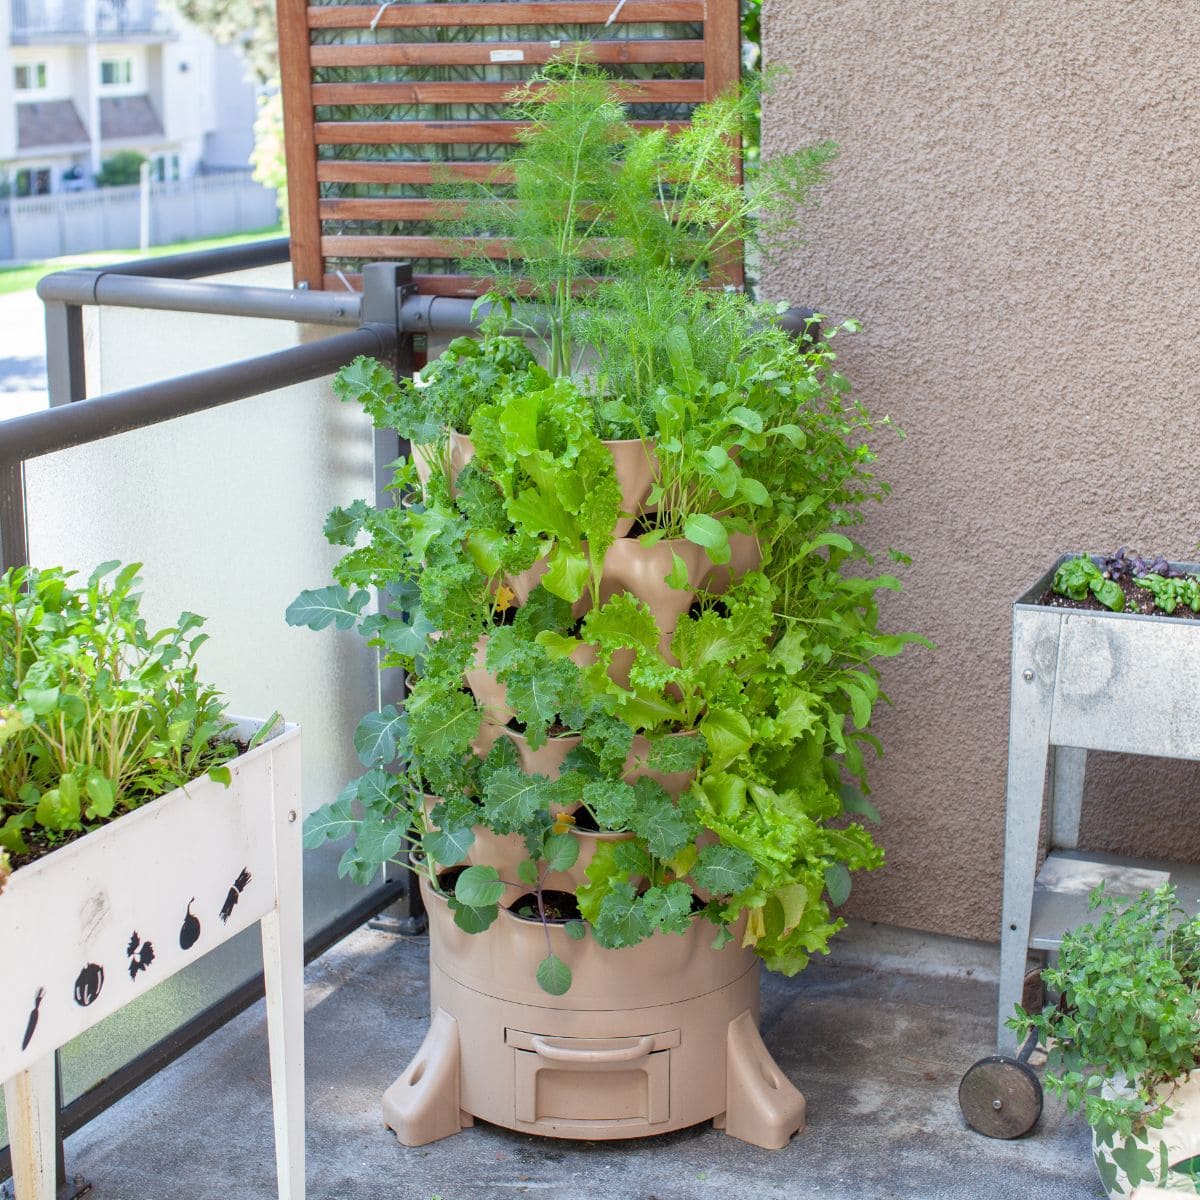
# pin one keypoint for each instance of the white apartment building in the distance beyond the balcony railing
(87, 79)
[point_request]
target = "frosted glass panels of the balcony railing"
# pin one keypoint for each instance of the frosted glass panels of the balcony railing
(225, 511)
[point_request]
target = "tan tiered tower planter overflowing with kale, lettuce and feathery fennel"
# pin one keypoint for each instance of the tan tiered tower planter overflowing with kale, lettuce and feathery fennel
(655, 775)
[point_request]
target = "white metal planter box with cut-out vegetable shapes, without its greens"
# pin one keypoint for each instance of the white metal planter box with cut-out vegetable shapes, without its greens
(92, 927)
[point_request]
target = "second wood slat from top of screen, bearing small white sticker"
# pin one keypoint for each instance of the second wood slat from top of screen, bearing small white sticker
(448, 55)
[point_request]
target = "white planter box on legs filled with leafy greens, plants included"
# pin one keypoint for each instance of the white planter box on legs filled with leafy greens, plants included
(140, 829)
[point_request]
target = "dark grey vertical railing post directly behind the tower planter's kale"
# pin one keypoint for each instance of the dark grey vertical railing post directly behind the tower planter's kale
(385, 287)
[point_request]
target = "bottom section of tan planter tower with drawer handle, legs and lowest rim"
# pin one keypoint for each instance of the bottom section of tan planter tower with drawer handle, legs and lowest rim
(631, 1052)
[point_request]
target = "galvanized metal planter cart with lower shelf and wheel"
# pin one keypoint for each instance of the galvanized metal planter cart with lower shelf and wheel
(1081, 681)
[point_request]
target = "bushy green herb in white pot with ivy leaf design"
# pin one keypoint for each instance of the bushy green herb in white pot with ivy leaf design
(1124, 1037)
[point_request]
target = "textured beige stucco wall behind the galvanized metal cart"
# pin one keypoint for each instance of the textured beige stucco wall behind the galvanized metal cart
(1017, 219)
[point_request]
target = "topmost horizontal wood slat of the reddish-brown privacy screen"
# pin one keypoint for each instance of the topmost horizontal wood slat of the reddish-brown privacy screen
(572, 13)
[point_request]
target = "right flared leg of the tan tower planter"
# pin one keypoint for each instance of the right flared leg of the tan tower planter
(761, 1106)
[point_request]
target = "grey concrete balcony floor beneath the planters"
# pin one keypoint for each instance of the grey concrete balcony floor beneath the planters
(877, 1048)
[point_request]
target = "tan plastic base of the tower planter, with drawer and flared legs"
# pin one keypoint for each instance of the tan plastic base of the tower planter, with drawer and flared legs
(595, 1073)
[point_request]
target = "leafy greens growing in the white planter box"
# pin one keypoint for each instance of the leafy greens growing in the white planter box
(98, 713)
